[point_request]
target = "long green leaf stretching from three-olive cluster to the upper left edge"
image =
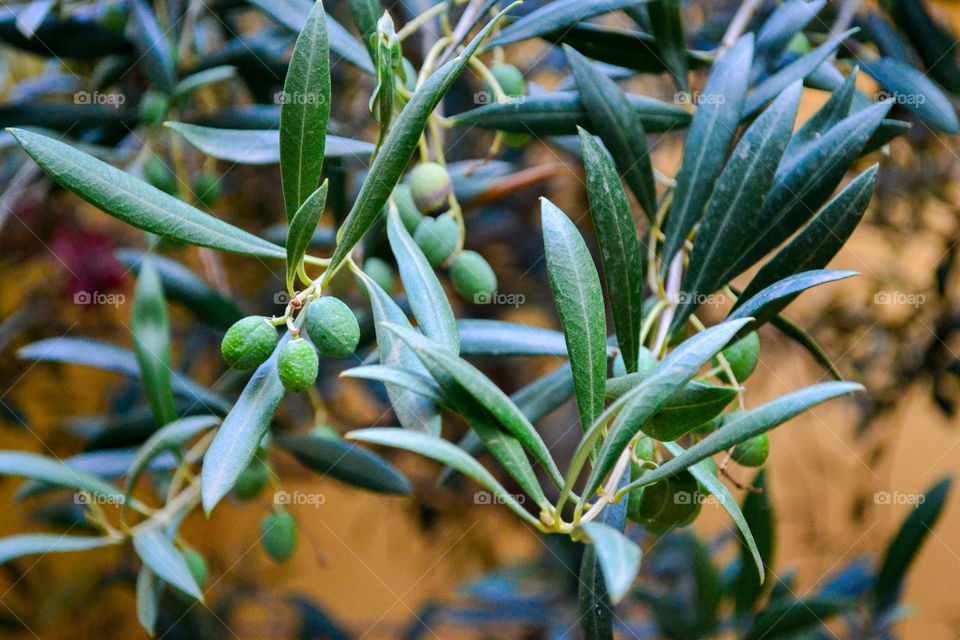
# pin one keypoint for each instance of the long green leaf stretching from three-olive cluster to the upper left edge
(135, 202)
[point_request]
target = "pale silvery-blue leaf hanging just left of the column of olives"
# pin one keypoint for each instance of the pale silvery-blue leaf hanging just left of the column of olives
(428, 301)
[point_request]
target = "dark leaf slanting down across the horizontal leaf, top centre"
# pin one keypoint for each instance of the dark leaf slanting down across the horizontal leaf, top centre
(611, 116)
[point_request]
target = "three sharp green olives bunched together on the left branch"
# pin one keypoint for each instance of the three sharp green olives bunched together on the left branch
(328, 322)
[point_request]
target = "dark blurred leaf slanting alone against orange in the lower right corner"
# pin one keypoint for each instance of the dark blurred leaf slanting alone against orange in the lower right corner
(905, 546)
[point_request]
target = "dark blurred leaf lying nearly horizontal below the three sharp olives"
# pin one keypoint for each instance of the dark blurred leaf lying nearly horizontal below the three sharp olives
(347, 462)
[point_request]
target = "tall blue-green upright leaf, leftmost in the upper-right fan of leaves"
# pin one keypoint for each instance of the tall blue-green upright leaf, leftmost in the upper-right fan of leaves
(711, 132)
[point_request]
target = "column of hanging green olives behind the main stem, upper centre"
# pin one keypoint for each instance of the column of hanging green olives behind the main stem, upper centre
(422, 202)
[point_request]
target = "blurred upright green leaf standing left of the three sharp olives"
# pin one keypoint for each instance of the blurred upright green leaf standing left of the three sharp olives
(151, 341)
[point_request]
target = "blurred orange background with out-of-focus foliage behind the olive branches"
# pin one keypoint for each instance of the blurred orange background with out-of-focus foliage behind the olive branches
(841, 478)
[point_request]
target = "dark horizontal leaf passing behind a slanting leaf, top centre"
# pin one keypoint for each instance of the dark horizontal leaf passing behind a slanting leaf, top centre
(557, 114)
